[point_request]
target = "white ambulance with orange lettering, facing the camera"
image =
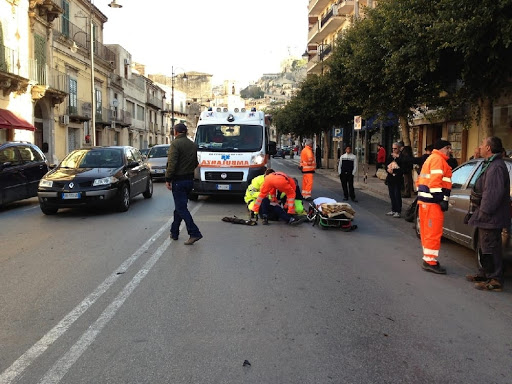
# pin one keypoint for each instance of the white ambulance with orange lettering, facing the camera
(233, 147)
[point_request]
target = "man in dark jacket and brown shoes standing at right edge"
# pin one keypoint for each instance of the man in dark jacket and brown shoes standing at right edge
(491, 202)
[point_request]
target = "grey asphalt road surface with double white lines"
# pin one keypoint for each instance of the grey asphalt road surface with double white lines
(105, 297)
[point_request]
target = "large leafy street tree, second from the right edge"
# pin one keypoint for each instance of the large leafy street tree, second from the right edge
(388, 62)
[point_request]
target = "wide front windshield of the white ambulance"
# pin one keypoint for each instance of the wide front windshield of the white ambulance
(229, 138)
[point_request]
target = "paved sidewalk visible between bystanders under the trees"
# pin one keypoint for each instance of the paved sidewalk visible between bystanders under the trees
(363, 181)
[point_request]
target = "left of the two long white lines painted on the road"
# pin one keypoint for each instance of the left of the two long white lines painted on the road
(25, 360)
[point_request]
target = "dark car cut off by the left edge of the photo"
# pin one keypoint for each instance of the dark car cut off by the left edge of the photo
(21, 167)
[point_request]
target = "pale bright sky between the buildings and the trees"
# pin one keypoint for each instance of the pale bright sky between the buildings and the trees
(229, 39)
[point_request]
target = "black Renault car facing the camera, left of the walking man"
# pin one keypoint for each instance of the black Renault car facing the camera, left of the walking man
(109, 176)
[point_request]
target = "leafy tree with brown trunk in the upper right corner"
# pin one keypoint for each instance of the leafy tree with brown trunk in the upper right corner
(478, 34)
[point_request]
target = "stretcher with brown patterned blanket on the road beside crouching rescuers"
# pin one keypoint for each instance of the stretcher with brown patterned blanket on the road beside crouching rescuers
(332, 215)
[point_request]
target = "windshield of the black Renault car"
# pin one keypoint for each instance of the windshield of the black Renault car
(94, 158)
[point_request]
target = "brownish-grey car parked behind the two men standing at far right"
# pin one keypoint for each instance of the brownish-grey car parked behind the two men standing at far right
(463, 180)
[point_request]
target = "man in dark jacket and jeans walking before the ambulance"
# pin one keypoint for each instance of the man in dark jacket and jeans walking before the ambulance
(179, 178)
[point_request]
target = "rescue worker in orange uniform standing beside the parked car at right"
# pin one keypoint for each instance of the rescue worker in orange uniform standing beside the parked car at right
(434, 187)
